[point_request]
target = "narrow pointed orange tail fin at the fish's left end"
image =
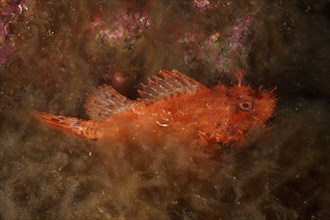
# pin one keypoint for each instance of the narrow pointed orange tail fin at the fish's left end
(69, 124)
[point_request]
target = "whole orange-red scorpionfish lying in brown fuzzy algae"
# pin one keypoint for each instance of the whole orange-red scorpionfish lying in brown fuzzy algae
(219, 114)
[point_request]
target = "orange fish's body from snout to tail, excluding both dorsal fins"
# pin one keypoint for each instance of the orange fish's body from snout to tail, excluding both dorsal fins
(221, 114)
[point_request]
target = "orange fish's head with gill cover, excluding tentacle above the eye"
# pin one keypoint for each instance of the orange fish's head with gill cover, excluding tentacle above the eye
(234, 111)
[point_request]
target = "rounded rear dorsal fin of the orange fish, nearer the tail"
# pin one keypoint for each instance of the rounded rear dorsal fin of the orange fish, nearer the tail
(105, 101)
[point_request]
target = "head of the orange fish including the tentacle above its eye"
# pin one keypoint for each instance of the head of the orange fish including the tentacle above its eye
(246, 108)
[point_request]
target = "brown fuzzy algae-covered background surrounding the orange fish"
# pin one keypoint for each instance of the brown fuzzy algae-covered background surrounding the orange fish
(282, 172)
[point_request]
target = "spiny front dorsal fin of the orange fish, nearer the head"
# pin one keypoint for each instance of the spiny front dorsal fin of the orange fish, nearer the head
(172, 82)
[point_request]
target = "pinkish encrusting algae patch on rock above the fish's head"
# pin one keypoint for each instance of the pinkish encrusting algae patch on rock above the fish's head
(224, 51)
